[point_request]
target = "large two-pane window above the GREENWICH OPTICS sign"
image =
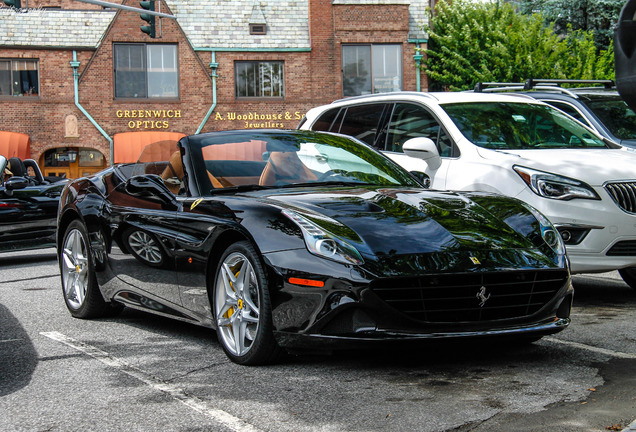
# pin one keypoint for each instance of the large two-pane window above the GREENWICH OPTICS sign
(146, 71)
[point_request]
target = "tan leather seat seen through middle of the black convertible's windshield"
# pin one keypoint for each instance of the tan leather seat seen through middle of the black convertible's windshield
(285, 168)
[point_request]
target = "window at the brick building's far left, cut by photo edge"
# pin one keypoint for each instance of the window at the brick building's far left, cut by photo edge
(19, 77)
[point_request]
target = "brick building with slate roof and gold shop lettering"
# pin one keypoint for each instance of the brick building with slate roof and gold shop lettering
(87, 87)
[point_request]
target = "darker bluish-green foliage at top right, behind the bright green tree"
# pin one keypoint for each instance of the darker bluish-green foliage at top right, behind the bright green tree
(597, 16)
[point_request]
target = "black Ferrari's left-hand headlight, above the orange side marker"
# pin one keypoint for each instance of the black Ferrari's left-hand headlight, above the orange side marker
(324, 244)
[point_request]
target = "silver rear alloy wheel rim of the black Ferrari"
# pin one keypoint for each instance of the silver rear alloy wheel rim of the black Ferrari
(75, 269)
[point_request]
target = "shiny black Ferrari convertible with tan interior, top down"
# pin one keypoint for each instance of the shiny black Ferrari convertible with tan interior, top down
(291, 239)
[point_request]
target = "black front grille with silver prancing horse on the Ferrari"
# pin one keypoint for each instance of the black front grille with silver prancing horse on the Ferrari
(457, 297)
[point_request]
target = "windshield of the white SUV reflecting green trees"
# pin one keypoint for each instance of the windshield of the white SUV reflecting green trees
(519, 126)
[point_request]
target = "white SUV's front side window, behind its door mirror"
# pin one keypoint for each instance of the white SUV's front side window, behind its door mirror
(413, 121)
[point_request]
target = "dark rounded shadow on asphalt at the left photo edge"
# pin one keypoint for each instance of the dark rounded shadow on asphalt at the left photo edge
(18, 358)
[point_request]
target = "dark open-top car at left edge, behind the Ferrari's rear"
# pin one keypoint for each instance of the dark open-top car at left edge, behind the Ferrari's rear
(28, 205)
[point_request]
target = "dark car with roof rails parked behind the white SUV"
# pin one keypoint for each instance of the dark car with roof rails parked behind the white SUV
(598, 106)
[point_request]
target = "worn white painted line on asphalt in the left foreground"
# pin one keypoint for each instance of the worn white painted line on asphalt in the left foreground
(226, 419)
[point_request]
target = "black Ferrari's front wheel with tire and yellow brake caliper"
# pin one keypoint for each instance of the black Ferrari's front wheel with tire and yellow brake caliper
(242, 307)
